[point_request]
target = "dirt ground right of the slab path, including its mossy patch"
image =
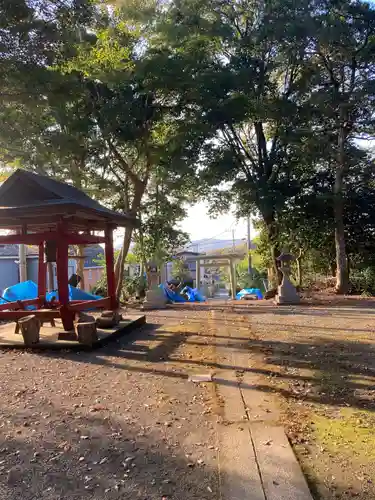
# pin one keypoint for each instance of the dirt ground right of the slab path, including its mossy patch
(319, 360)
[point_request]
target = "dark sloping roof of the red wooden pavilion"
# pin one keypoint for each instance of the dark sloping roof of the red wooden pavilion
(40, 201)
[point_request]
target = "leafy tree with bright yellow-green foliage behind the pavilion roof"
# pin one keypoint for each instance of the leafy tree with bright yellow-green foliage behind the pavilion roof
(88, 114)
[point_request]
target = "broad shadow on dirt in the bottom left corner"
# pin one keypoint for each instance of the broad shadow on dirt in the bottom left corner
(96, 458)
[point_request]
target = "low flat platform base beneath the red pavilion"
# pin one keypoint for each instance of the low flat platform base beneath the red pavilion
(49, 335)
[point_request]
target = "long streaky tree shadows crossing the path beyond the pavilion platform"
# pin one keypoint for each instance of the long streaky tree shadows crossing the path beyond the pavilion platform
(335, 372)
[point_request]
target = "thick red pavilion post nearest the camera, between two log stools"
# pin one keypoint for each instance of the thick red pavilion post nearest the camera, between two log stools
(67, 317)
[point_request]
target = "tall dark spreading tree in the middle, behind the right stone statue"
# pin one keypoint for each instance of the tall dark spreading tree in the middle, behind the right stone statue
(236, 73)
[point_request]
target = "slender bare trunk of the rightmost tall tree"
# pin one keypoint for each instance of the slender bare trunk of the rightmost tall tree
(342, 275)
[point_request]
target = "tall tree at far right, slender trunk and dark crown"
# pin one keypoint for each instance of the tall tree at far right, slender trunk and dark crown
(343, 48)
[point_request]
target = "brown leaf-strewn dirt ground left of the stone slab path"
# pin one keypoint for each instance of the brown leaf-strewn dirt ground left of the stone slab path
(120, 422)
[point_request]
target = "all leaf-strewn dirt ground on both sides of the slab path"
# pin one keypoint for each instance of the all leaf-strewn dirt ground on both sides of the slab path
(126, 422)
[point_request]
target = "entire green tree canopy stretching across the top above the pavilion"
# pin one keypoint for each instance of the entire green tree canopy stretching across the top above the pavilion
(264, 106)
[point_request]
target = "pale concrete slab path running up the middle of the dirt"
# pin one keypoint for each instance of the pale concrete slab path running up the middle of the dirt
(255, 458)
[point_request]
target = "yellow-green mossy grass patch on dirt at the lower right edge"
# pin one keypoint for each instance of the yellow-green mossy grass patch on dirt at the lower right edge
(350, 433)
